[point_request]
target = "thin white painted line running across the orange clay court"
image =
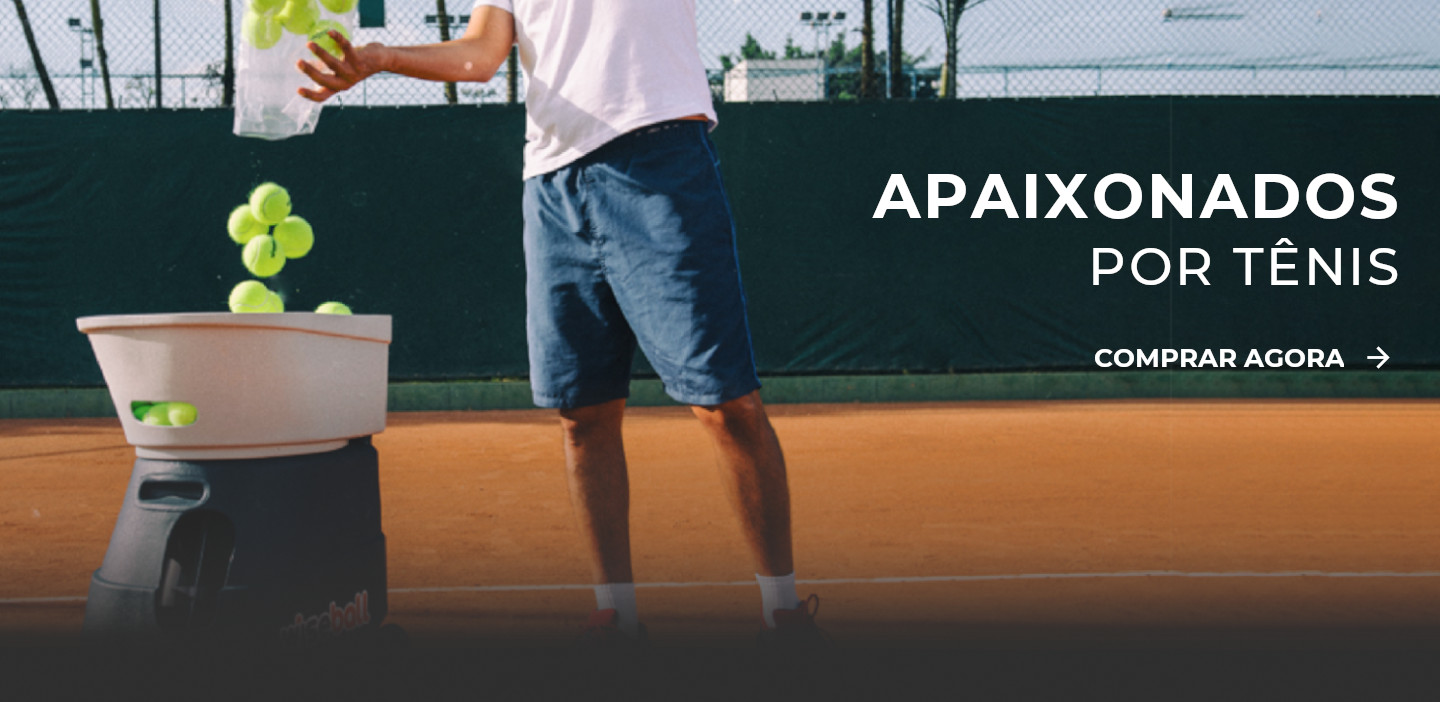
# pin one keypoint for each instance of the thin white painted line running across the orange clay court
(876, 582)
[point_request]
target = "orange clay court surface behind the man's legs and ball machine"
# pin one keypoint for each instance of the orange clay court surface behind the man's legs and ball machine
(987, 526)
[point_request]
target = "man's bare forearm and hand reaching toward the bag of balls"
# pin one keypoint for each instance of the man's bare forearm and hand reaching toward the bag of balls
(474, 57)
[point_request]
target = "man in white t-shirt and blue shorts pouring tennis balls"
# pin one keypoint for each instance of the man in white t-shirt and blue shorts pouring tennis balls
(629, 242)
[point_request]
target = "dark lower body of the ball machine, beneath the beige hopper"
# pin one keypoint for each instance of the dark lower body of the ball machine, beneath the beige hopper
(284, 549)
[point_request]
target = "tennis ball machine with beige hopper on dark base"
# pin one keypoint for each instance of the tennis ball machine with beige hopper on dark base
(258, 514)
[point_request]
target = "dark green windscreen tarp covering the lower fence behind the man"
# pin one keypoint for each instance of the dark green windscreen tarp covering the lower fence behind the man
(417, 215)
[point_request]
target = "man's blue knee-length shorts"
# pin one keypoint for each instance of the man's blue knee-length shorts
(634, 245)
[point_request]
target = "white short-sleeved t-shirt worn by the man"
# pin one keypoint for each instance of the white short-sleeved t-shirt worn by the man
(600, 68)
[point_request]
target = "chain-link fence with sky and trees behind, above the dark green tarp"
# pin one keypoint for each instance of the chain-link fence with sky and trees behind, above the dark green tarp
(110, 53)
